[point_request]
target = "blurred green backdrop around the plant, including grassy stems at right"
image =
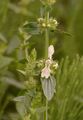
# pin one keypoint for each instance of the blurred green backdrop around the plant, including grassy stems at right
(68, 101)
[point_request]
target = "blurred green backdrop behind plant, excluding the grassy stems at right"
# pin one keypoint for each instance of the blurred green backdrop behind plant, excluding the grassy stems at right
(13, 14)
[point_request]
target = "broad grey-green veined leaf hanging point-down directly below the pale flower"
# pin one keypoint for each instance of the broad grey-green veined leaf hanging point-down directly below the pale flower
(48, 86)
